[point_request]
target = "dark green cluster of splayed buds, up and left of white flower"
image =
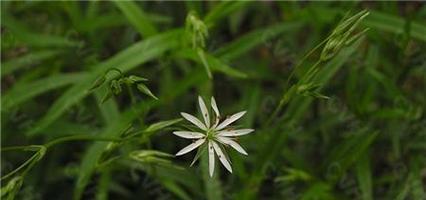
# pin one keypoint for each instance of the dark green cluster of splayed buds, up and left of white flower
(116, 84)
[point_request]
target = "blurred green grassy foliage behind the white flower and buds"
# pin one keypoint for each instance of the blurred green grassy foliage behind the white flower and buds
(366, 141)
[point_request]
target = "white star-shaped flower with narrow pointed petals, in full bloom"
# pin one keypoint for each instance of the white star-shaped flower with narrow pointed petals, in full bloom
(213, 134)
